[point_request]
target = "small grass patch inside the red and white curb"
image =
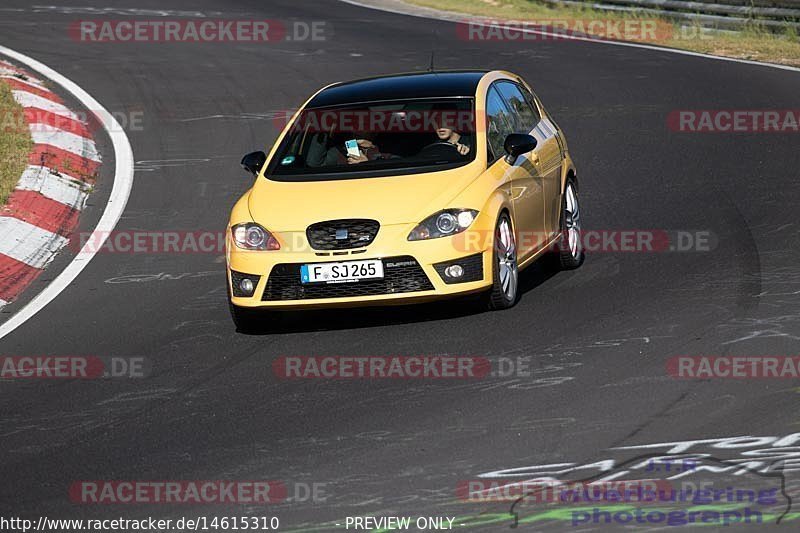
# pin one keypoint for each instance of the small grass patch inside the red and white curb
(15, 142)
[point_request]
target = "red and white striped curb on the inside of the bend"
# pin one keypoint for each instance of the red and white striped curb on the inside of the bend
(43, 209)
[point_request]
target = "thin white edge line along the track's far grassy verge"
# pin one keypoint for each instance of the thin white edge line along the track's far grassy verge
(456, 17)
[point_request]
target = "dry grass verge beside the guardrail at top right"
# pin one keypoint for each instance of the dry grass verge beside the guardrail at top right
(753, 43)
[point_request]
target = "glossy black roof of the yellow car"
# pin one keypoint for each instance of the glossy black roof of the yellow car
(442, 84)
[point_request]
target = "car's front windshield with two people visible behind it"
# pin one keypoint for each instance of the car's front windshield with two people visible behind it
(378, 138)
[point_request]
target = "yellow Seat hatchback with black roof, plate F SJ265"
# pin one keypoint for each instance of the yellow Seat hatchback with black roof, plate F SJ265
(402, 189)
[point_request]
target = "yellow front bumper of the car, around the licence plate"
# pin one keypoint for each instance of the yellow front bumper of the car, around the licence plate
(412, 271)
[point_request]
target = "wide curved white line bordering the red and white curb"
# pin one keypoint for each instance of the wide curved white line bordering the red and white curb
(123, 182)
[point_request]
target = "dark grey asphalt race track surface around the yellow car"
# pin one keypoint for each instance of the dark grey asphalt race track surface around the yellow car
(598, 338)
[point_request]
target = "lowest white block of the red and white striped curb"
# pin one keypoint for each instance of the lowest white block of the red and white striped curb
(27, 243)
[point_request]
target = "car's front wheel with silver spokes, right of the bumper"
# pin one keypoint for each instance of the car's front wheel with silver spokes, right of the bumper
(504, 292)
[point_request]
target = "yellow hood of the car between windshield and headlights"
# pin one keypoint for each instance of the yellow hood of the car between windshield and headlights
(402, 199)
